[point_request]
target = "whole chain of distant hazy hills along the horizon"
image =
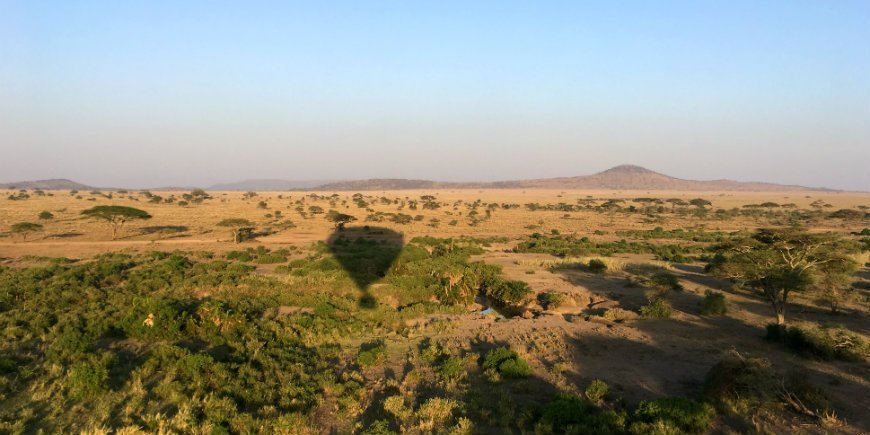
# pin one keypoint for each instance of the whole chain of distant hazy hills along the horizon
(622, 177)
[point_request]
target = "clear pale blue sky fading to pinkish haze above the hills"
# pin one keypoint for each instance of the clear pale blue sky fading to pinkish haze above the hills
(189, 93)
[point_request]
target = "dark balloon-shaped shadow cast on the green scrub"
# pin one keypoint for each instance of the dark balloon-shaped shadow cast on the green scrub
(366, 254)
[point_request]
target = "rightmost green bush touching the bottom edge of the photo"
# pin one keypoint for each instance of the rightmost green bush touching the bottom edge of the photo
(681, 413)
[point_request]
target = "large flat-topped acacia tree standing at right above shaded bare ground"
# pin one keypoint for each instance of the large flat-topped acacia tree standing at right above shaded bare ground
(777, 262)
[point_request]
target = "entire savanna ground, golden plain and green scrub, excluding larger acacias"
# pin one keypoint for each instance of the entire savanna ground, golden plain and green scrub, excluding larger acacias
(609, 321)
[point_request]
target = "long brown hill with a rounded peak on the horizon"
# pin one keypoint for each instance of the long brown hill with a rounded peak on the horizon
(623, 177)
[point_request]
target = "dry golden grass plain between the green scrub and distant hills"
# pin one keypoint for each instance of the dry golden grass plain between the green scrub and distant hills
(70, 234)
